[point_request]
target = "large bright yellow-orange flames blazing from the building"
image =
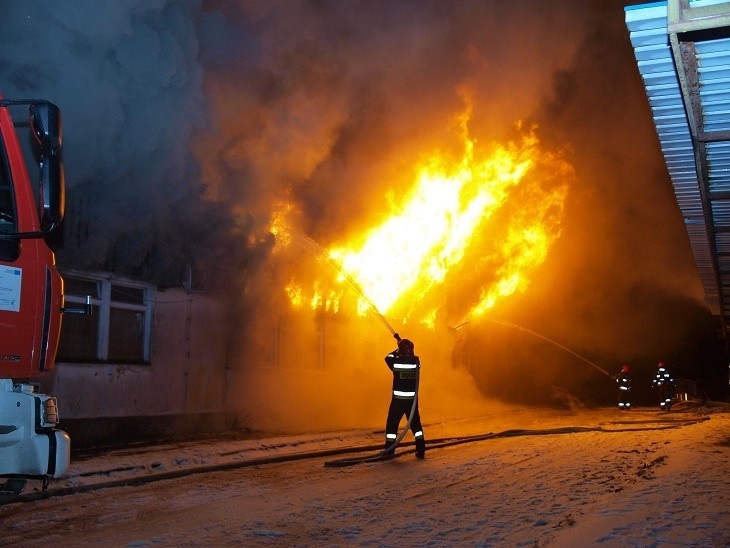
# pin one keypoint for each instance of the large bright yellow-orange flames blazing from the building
(477, 227)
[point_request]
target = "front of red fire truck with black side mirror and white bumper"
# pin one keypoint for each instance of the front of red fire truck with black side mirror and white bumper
(31, 295)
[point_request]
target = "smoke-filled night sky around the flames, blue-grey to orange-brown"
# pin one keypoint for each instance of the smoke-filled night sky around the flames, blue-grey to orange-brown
(185, 122)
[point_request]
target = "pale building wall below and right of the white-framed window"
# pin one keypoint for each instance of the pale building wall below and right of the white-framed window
(186, 376)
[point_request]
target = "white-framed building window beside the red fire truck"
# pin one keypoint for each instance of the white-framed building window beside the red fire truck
(119, 328)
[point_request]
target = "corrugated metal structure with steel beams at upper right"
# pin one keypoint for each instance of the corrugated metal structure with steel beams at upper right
(682, 48)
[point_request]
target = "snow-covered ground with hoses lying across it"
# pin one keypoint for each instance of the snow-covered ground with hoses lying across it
(566, 478)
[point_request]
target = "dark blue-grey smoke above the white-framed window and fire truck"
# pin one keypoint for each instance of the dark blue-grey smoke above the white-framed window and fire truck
(129, 81)
